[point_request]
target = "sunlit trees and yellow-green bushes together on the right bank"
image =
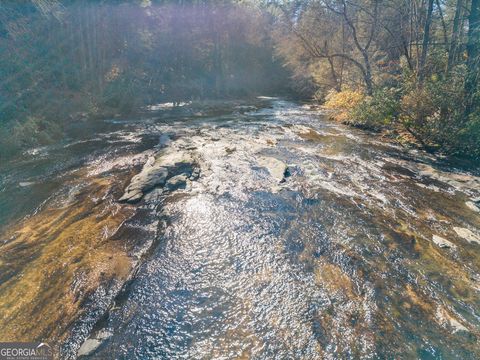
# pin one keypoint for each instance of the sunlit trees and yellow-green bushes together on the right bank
(407, 65)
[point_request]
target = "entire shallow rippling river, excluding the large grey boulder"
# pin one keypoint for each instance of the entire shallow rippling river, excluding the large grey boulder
(300, 238)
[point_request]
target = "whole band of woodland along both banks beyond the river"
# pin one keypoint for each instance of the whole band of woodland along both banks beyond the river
(407, 68)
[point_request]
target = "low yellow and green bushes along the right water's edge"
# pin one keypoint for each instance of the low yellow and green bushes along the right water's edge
(405, 120)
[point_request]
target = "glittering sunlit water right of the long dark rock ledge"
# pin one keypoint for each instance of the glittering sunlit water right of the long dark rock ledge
(339, 263)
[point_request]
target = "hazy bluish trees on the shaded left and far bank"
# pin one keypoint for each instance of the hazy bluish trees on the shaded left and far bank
(58, 57)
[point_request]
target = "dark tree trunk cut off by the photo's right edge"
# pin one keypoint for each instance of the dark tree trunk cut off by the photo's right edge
(473, 57)
